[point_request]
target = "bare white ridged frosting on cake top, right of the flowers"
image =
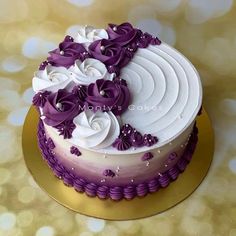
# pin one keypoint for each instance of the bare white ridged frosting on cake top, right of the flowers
(166, 92)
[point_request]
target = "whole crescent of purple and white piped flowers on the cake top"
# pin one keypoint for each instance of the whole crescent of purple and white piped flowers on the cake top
(83, 75)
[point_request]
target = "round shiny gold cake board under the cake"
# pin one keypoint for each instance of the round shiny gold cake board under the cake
(136, 208)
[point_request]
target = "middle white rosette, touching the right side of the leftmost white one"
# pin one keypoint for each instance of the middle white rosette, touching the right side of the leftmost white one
(88, 71)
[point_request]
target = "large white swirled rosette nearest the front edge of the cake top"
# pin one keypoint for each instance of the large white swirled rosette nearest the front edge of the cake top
(95, 129)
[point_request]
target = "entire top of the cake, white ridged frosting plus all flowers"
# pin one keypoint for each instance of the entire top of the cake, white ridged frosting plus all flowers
(117, 90)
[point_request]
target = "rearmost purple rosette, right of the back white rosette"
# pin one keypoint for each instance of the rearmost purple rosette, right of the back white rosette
(123, 34)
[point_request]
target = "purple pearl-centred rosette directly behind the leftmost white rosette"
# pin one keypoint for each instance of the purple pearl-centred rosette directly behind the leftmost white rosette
(67, 53)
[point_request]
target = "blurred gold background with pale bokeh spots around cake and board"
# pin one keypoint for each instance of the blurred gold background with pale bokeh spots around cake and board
(203, 30)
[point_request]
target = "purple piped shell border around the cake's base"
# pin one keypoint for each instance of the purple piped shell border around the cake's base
(116, 192)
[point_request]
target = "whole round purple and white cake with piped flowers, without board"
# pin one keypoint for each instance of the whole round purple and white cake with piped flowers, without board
(117, 112)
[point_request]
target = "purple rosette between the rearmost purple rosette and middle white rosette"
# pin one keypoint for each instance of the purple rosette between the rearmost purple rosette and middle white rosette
(110, 53)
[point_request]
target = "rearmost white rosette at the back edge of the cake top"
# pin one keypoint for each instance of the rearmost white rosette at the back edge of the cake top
(88, 34)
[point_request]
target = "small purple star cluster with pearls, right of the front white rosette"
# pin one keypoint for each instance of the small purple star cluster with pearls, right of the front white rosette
(130, 137)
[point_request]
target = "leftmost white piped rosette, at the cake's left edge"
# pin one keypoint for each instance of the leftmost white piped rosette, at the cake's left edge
(51, 79)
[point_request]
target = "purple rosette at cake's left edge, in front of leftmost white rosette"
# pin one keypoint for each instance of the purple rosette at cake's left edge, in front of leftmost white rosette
(60, 107)
